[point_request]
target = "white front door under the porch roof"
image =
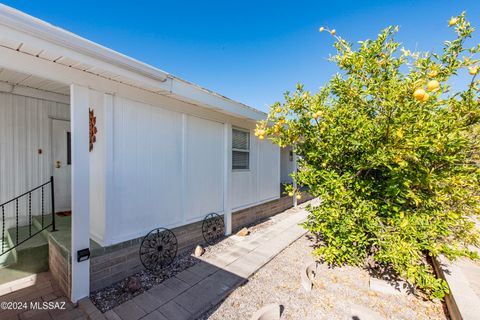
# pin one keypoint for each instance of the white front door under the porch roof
(62, 160)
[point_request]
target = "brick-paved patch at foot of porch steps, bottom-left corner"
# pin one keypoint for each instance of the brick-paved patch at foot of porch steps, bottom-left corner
(36, 297)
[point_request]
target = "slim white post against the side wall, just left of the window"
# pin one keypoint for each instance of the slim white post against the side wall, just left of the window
(227, 176)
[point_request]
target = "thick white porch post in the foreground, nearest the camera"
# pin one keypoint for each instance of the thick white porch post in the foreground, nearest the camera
(79, 104)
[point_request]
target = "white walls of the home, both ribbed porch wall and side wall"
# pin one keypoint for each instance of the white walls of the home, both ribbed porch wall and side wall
(167, 167)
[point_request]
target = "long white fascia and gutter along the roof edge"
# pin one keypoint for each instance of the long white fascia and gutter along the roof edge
(181, 89)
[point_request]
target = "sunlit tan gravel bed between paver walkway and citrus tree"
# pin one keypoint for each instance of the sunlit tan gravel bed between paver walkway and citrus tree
(336, 292)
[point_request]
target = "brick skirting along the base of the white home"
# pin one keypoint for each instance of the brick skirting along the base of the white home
(113, 263)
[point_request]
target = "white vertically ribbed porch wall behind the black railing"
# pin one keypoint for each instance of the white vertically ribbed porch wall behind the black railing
(25, 128)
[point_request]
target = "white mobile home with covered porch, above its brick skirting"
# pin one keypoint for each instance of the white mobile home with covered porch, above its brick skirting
(130, 147)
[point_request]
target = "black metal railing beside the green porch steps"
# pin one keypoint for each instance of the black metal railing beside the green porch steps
(28, 198)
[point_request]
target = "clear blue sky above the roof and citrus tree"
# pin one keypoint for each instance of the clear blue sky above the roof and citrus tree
(250, 51)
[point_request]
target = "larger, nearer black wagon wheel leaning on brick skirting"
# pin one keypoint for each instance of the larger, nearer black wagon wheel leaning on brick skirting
(158, 249)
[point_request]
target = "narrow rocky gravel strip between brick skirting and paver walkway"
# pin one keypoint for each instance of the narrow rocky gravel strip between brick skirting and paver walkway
(118, 293)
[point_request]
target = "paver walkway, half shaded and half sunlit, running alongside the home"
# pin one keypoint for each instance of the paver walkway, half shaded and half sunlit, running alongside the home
(195, 290)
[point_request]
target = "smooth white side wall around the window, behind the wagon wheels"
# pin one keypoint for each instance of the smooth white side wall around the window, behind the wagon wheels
(168, 170)
